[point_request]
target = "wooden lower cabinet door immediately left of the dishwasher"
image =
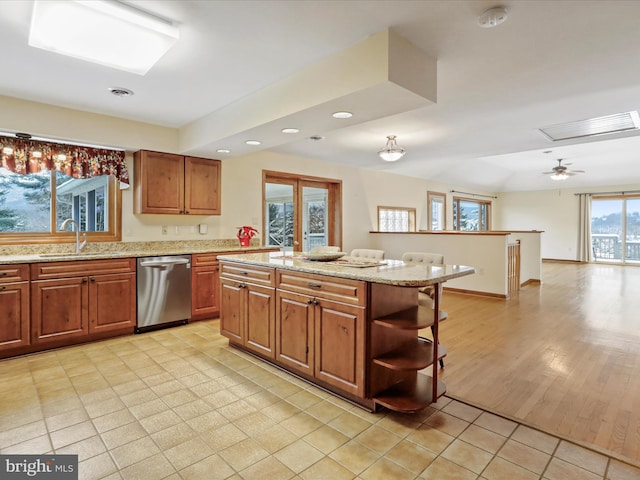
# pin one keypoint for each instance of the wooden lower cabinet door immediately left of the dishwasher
(112, 302)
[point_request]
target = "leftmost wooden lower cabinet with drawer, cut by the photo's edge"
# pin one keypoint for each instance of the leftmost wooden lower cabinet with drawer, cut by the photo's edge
(14, 306)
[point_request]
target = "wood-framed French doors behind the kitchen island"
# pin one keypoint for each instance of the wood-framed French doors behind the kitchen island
(301, 212)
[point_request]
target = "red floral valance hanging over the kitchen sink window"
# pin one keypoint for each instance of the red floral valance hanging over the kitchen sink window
(31, 156)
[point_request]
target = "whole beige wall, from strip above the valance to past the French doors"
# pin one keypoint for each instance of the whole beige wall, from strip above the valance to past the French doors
(363, 190)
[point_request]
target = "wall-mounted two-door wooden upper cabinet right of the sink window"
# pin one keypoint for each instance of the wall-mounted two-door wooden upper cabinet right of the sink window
(172, 184)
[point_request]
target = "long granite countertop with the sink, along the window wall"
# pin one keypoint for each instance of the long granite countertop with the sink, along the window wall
(106, 250)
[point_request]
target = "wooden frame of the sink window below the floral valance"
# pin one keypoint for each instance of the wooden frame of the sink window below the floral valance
(113, 220)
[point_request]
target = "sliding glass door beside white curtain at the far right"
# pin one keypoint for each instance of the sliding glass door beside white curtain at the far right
(615, 229)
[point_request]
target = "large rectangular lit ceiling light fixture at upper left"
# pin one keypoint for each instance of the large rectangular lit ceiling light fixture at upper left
(104, 32)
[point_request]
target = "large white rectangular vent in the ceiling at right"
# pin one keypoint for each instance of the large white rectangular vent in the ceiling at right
(620, 122)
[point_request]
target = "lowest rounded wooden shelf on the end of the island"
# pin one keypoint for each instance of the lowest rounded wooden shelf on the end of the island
(410, 397)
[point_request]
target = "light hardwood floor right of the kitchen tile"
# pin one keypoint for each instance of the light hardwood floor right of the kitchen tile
(563, 356)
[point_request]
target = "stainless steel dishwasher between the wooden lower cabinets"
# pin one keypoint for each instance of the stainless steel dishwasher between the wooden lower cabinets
(164, 291)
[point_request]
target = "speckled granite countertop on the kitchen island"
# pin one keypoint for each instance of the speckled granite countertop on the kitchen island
(392, 272)
